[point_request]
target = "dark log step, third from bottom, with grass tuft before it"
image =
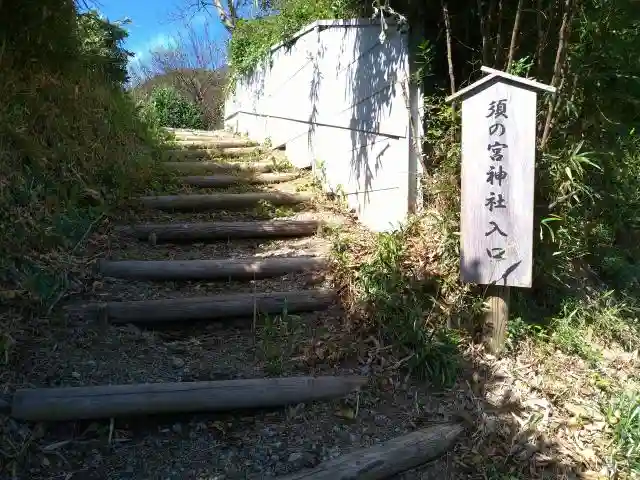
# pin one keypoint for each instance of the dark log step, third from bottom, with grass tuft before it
(214, 307)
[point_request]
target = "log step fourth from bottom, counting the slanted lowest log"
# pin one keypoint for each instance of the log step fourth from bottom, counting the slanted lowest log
(236, 269)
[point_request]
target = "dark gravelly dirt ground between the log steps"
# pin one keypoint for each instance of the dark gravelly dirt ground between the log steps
(77, 350)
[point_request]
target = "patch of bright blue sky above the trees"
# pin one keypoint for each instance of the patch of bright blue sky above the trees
(156, 23)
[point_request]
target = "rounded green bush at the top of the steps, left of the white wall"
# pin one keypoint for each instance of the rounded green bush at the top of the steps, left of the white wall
(167, 107)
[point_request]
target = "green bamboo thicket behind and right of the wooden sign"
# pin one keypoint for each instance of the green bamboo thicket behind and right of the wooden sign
(587, 252)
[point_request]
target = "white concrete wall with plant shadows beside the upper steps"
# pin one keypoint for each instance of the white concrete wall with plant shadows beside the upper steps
(339, 100)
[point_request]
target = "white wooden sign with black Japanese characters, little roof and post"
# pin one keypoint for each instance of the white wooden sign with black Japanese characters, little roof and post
(498, 165)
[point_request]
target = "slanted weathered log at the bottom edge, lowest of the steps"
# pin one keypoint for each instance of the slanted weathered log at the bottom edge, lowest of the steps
(389, 458)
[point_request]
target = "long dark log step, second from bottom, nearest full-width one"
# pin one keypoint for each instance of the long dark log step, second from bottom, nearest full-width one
(109, 401)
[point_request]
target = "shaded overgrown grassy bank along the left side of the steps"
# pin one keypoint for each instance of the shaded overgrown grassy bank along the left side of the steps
(72, 144)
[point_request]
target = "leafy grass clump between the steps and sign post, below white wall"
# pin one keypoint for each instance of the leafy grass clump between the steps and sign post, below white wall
(403, 302)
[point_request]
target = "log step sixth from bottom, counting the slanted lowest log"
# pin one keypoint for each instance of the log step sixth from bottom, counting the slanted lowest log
(223, 201)
